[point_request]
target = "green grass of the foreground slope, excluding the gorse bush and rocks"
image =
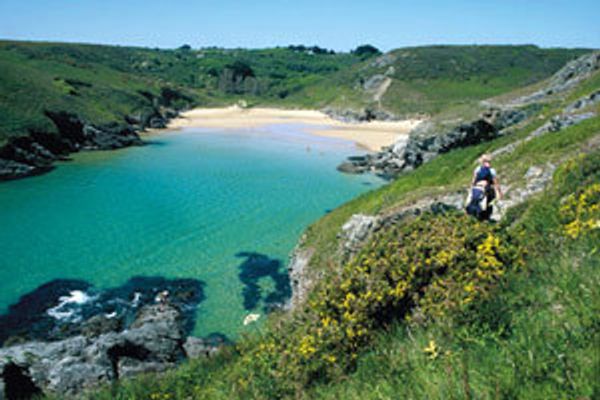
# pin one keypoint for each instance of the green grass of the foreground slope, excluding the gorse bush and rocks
(534, 336)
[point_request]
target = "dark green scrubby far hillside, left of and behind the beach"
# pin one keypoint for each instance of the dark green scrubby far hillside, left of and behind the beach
(103, 84)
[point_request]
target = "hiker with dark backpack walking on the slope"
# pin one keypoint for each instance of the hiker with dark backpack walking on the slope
(485, 188)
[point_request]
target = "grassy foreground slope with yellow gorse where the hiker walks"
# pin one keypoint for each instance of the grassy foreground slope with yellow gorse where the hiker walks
(439, 306)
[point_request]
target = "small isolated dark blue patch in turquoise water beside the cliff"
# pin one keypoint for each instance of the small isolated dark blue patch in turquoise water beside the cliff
(258, 266)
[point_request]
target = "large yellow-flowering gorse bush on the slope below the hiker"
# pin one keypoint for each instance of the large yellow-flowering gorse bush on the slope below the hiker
(420, 271)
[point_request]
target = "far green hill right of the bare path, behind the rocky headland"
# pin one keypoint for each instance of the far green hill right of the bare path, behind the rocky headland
(430, 79)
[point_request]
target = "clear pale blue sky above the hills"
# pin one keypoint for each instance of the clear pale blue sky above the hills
(336, 24)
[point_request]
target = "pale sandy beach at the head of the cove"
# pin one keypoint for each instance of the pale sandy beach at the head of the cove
(369, 135)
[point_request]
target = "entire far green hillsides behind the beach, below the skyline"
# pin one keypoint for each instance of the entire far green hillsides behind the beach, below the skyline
(103, 84)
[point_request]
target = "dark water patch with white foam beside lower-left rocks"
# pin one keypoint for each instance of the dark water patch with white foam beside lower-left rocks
(67, 307)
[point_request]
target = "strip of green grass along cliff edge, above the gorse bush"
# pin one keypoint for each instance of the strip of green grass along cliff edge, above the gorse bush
(448, 172)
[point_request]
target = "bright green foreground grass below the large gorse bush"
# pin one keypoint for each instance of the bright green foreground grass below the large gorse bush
(535, 336)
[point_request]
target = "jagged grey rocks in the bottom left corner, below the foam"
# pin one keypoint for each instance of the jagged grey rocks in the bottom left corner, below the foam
(153, 343)
